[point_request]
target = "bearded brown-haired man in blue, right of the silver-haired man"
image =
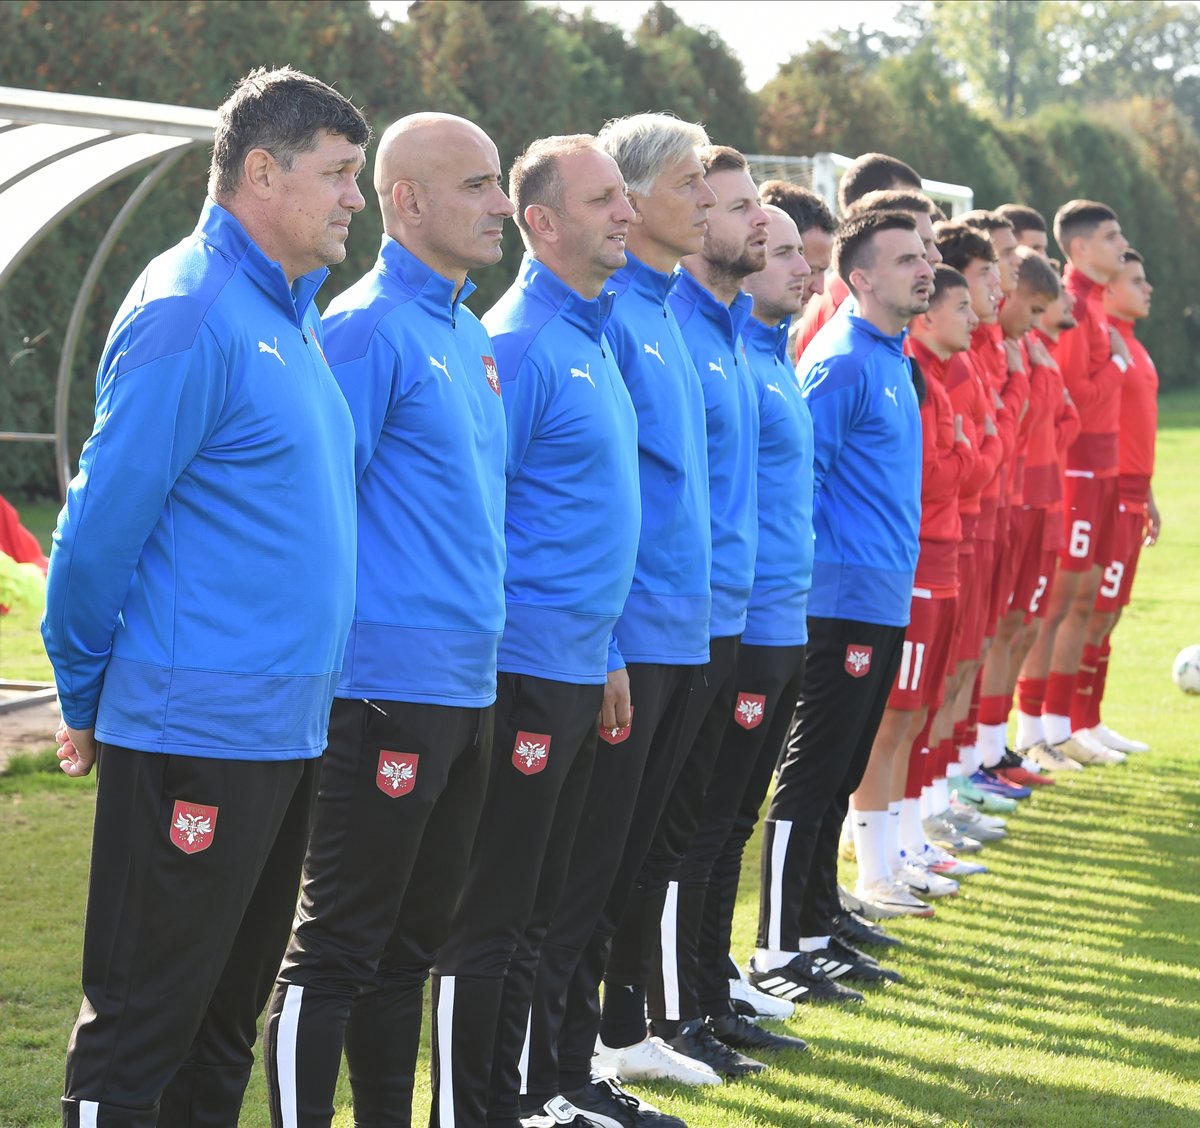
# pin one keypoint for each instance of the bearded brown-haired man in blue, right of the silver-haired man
(712, 310)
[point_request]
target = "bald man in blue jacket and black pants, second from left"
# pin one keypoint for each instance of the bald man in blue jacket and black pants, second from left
(411, 731)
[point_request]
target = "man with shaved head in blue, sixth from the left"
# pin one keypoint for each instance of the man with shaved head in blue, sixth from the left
(689, 982)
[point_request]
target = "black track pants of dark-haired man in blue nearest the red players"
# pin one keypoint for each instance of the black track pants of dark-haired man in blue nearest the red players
(847, 685)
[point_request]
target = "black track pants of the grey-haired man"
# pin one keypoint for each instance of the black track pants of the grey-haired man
(568, 970)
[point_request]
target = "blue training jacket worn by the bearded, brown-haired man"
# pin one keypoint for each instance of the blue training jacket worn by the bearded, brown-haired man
(713, 334)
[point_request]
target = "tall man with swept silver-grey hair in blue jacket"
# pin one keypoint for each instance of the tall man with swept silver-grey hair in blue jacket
(663, 633)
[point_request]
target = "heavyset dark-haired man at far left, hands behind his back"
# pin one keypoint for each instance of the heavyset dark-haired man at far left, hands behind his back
(200, 593)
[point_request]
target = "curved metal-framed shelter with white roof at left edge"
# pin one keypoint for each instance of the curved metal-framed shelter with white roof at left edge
(57, 152)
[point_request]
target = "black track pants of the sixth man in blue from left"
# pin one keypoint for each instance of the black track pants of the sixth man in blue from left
(766, 687)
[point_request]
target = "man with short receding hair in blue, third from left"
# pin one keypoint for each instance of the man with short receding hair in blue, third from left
(572, 521)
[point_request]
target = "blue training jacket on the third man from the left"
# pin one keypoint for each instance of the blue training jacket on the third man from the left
(573, 511)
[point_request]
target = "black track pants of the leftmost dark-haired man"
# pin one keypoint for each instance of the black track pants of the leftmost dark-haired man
(189, 914)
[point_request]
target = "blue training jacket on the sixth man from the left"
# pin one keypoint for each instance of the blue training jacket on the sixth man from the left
(783, 569)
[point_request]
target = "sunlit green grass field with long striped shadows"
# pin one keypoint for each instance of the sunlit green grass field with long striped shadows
(1061, 991)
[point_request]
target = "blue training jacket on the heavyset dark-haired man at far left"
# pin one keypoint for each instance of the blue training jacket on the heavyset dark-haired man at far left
(202, 579)
